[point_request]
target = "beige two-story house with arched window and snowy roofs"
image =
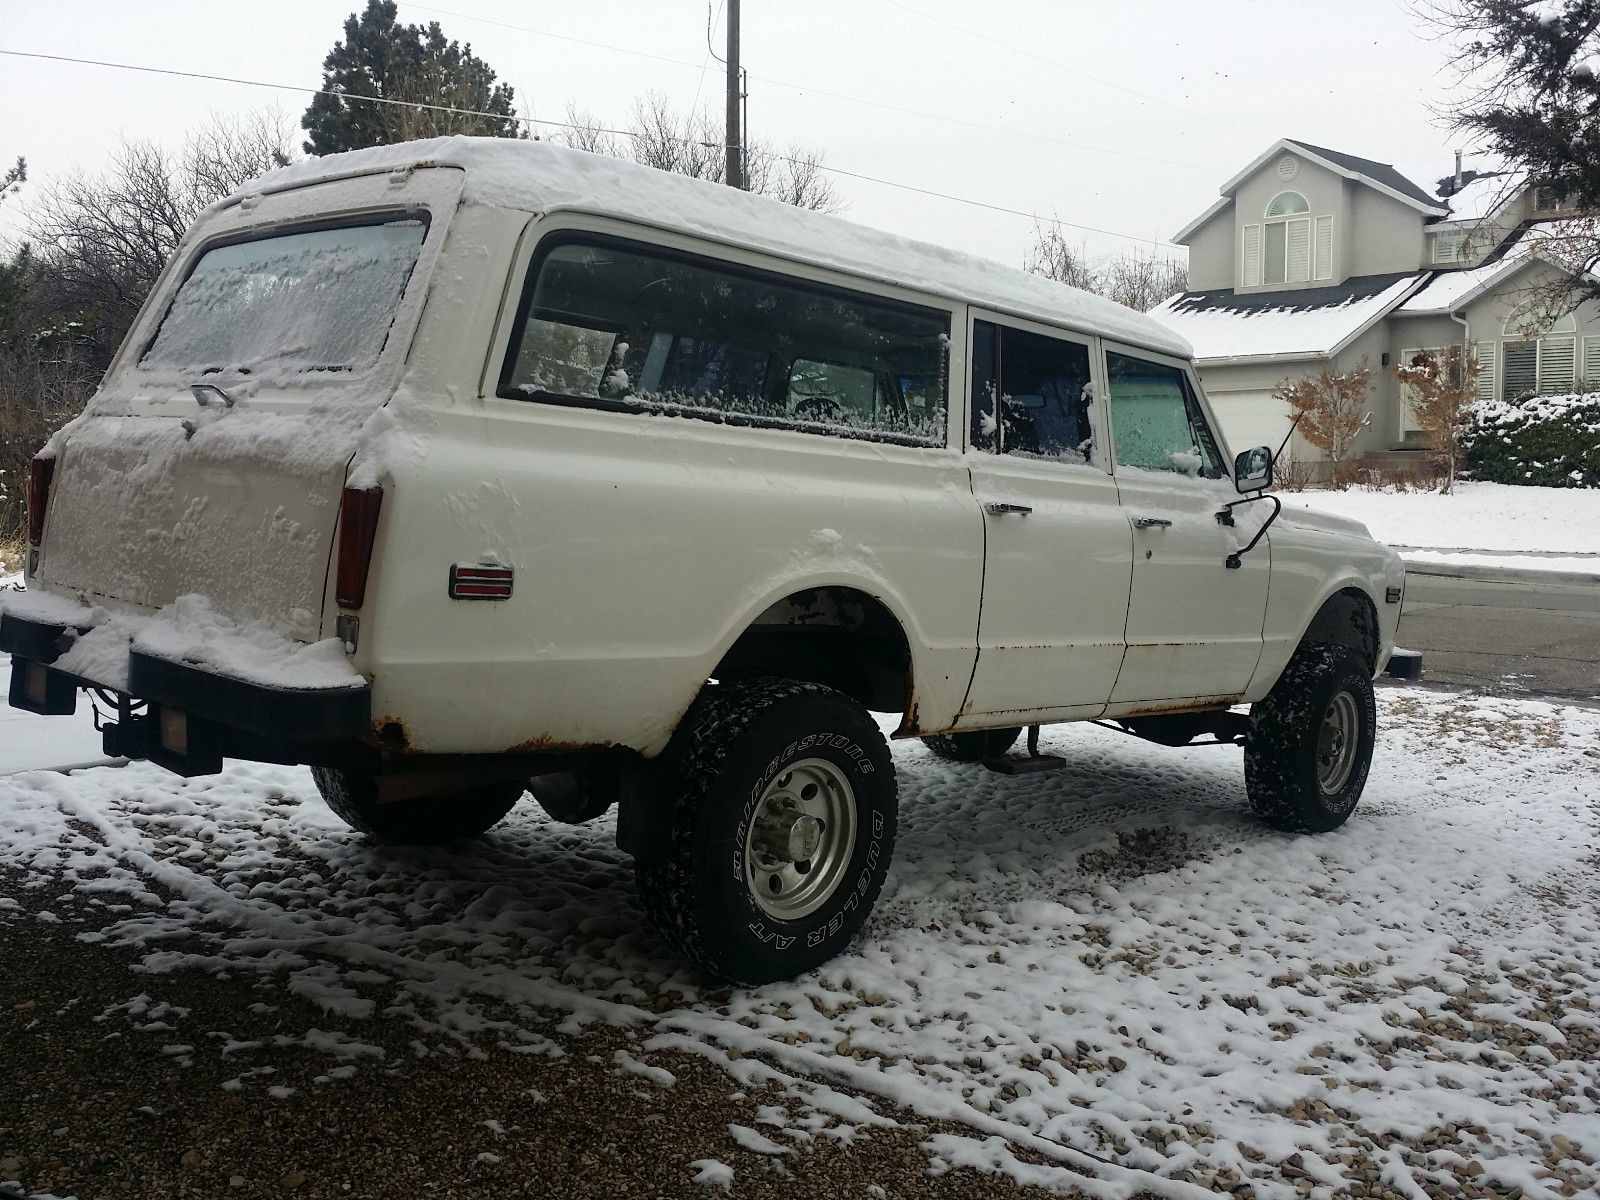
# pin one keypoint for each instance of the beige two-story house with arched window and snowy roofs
(1313, 257)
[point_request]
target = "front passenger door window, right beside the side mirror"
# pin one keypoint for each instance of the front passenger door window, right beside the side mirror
(1156, 420)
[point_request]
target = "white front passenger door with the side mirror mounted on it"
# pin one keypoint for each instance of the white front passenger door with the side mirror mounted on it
(1194, 623)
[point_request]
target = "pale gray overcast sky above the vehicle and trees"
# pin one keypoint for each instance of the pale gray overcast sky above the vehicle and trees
(1119, 114)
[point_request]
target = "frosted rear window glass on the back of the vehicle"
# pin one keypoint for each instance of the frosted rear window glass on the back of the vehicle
(316, 300)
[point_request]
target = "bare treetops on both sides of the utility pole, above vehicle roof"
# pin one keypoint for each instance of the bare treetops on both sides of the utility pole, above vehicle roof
(657, 135)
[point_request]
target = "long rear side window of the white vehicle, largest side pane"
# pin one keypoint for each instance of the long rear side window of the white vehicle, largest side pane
(623, 326)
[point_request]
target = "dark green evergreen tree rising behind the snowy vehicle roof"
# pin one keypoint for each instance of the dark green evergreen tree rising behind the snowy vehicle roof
(414, 65)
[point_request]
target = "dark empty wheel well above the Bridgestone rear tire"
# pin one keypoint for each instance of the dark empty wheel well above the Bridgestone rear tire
(834, 636)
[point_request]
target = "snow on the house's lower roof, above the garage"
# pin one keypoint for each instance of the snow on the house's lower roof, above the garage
(1303, 324)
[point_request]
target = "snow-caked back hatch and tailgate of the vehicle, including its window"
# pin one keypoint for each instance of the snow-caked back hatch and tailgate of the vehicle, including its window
(214, 458)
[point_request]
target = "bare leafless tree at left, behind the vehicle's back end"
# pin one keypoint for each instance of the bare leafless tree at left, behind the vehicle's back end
(102, 241)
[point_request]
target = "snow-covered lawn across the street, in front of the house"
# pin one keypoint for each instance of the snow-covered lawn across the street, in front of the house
(1479, 524)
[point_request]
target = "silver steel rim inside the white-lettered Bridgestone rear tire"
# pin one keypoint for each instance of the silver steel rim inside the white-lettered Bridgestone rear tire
(801, 839)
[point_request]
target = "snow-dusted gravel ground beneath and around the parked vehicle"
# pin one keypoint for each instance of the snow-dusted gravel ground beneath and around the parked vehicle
(1113, 967)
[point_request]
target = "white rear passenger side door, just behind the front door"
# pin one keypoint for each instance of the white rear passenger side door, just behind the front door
(1057, 546)
